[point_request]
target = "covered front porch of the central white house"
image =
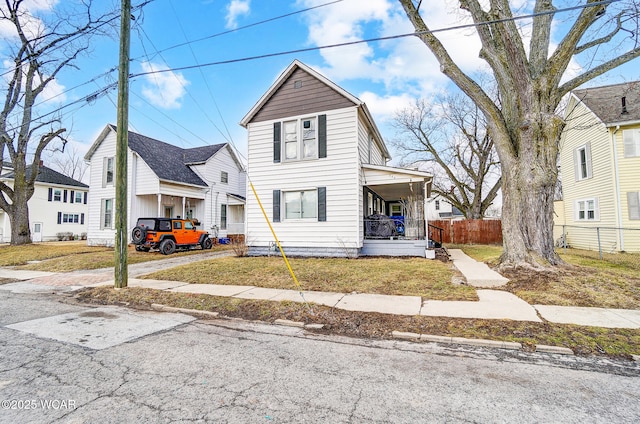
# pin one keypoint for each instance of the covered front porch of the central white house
(394, 221)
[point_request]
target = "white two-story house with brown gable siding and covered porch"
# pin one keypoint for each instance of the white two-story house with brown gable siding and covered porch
(319, 167)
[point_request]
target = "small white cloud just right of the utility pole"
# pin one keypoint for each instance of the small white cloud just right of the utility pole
(163, 89)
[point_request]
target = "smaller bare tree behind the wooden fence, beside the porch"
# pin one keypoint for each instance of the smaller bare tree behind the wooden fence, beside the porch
(450, 138)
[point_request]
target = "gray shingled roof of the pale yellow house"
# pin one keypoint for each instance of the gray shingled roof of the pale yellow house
(606, 102)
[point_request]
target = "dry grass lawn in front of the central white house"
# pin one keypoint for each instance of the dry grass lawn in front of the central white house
(406, 276)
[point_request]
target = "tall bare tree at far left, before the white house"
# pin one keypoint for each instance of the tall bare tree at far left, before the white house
(40, 46)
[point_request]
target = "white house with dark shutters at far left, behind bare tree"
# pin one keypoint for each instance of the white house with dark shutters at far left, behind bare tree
(58, 205)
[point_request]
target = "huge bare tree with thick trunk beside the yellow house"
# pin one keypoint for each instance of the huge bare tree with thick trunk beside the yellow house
(525, 127)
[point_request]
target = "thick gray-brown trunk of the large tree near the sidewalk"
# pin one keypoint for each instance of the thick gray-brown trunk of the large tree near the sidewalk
(529, 176)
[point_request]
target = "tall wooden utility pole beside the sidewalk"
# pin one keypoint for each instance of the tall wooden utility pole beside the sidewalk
(121, 242)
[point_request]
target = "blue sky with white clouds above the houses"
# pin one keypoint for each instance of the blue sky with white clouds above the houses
(203, 105)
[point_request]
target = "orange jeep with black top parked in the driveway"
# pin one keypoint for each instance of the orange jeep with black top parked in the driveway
(168, 234)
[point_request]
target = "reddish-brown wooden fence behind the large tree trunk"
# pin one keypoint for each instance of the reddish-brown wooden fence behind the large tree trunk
(468, 231)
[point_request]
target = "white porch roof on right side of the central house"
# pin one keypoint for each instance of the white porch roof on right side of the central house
(396, 183)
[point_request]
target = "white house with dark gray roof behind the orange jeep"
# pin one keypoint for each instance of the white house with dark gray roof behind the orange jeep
(205, 183)
